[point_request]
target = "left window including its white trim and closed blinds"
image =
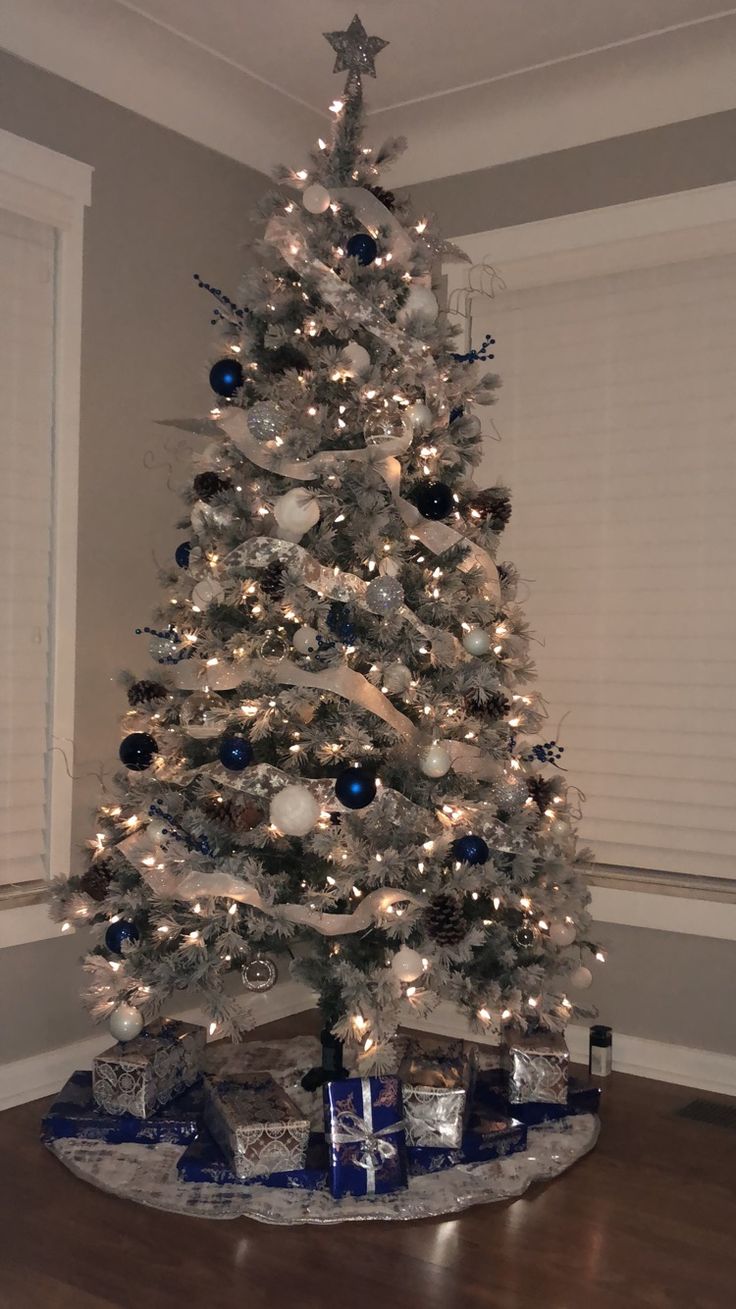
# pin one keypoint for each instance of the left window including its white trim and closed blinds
(43, 198)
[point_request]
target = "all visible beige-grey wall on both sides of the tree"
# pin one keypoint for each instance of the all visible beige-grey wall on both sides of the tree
(164, 209)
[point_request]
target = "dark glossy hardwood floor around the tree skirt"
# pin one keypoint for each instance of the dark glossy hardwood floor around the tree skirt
(649, 1219)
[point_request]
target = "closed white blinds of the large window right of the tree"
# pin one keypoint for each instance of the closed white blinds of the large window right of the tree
(619, 439)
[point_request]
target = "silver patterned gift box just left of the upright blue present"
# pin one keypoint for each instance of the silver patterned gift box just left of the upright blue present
(256, 1125)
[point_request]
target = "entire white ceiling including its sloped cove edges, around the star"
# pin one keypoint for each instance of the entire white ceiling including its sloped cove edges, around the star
(472, 83)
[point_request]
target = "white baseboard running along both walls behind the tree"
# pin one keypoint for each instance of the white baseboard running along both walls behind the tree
(683, 1066)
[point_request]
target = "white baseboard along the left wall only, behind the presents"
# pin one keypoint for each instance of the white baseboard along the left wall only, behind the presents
(45, 1074)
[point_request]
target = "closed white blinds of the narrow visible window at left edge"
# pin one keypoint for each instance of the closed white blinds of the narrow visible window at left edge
(27, 475)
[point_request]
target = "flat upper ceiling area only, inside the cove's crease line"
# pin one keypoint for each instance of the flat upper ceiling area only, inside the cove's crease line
(435, 46)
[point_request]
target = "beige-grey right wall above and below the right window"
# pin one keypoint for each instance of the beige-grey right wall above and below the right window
(662, 986)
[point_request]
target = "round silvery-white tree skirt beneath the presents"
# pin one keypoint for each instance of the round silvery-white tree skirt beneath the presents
(147, 1175)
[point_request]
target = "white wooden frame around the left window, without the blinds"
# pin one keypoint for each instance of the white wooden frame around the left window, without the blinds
(53, 189)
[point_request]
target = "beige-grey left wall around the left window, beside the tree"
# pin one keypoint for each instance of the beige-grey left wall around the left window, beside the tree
(163, 209)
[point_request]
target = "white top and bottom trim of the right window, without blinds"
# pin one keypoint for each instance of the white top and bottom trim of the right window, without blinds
(623, 238)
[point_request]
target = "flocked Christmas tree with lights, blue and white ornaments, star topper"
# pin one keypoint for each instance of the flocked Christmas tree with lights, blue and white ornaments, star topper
(336, 759)
